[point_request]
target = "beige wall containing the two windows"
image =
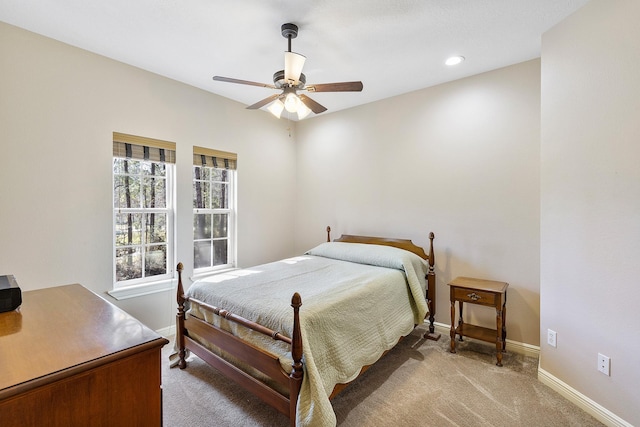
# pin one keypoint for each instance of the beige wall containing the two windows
(58, 108)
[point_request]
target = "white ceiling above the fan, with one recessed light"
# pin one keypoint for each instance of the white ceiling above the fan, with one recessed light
(393, 47)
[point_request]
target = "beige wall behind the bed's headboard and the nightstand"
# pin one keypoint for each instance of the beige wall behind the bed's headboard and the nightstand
(459, 159)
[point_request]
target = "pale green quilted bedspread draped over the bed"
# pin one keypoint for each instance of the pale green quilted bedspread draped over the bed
(357, 300)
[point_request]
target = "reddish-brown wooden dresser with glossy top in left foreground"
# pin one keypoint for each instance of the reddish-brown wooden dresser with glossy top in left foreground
(70, 358)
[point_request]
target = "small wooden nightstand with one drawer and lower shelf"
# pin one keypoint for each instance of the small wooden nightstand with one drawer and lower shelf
(482, 292)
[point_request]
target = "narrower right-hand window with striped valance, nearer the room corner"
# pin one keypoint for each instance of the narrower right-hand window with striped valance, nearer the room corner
(213, 209)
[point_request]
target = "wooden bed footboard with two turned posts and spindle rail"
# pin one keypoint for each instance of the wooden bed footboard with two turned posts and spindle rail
(257, 358)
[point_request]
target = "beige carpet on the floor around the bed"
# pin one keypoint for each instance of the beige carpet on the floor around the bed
(418, 383)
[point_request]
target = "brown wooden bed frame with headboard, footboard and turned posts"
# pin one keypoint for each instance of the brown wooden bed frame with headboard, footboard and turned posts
(196, 335)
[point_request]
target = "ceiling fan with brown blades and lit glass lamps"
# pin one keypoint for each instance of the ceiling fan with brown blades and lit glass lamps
(290, 81)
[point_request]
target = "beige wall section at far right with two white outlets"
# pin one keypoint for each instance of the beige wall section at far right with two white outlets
(590, 202)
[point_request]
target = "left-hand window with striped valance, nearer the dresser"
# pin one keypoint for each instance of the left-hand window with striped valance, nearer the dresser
(143, 210)
